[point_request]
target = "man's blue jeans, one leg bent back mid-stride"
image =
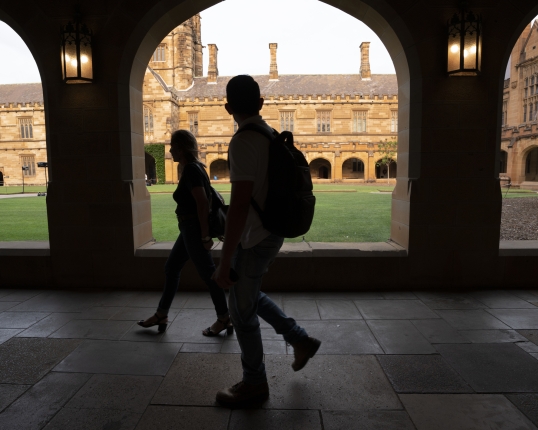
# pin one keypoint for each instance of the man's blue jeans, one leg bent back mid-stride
(247, 302)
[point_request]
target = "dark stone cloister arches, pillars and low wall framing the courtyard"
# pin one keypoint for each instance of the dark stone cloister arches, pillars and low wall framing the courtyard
(443, 237)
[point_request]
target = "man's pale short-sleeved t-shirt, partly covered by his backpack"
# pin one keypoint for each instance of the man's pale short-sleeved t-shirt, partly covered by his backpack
(249, 157)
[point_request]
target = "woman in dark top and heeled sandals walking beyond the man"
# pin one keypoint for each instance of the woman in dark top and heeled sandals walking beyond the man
(194, 241)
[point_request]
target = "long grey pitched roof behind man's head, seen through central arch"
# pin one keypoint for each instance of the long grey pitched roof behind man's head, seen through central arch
(290, 85)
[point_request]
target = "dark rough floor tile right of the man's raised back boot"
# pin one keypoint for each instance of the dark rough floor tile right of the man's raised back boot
(422, 374)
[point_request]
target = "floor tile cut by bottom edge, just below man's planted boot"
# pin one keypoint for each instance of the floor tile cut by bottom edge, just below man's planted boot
(246, 419)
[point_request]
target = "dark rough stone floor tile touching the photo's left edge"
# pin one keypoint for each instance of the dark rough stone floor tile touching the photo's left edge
(26, 360)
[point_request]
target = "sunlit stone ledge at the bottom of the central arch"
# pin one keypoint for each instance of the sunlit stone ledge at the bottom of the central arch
(298, 250)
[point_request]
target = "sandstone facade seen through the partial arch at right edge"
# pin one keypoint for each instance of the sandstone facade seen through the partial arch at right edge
(519, 134)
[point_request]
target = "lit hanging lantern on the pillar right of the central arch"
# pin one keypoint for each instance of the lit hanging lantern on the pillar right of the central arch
(464, 43)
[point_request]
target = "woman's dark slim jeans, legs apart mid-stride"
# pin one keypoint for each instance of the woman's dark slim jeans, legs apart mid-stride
(188, 245)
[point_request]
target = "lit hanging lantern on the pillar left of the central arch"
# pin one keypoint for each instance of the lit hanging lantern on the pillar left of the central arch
(76, 53)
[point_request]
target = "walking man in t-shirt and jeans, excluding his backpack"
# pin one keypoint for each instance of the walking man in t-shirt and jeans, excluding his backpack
(250, 249)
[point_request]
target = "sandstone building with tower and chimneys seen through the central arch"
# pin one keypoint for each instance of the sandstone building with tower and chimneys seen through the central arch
(337, 120)
